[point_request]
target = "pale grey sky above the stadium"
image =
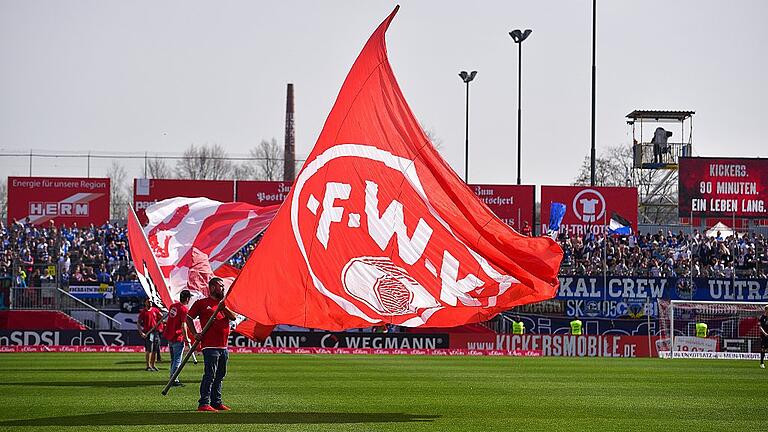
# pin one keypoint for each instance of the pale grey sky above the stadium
(117, 77)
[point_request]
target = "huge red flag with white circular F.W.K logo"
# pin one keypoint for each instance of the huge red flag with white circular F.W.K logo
(379, 229)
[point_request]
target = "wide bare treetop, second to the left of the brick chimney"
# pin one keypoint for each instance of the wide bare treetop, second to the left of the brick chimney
(206, 162)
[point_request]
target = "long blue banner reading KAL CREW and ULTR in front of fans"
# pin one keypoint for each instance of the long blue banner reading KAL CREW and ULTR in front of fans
(638, 290)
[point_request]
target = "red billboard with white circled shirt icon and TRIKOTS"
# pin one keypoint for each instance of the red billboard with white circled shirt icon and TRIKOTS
(589, 209)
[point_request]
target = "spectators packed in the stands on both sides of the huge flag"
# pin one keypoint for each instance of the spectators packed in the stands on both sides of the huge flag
(37, 255)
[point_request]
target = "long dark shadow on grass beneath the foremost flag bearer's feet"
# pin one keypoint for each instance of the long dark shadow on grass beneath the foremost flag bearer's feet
(133, 418)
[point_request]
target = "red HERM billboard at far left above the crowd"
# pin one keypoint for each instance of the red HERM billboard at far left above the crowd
(65, 201)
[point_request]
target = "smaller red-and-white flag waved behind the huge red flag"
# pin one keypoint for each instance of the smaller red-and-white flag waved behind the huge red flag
(182, 231)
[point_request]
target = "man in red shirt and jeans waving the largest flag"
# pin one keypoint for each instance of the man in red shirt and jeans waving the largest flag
(213, 343)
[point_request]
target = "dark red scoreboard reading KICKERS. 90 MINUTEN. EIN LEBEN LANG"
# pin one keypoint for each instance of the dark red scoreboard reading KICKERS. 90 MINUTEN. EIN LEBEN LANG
(723, 188)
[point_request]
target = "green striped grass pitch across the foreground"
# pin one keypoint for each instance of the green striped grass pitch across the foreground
(111, 392)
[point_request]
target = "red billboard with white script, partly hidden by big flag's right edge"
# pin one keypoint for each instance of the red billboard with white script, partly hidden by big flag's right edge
(513, 204)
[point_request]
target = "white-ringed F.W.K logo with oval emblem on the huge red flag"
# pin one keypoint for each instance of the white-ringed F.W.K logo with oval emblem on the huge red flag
(364, 211)
